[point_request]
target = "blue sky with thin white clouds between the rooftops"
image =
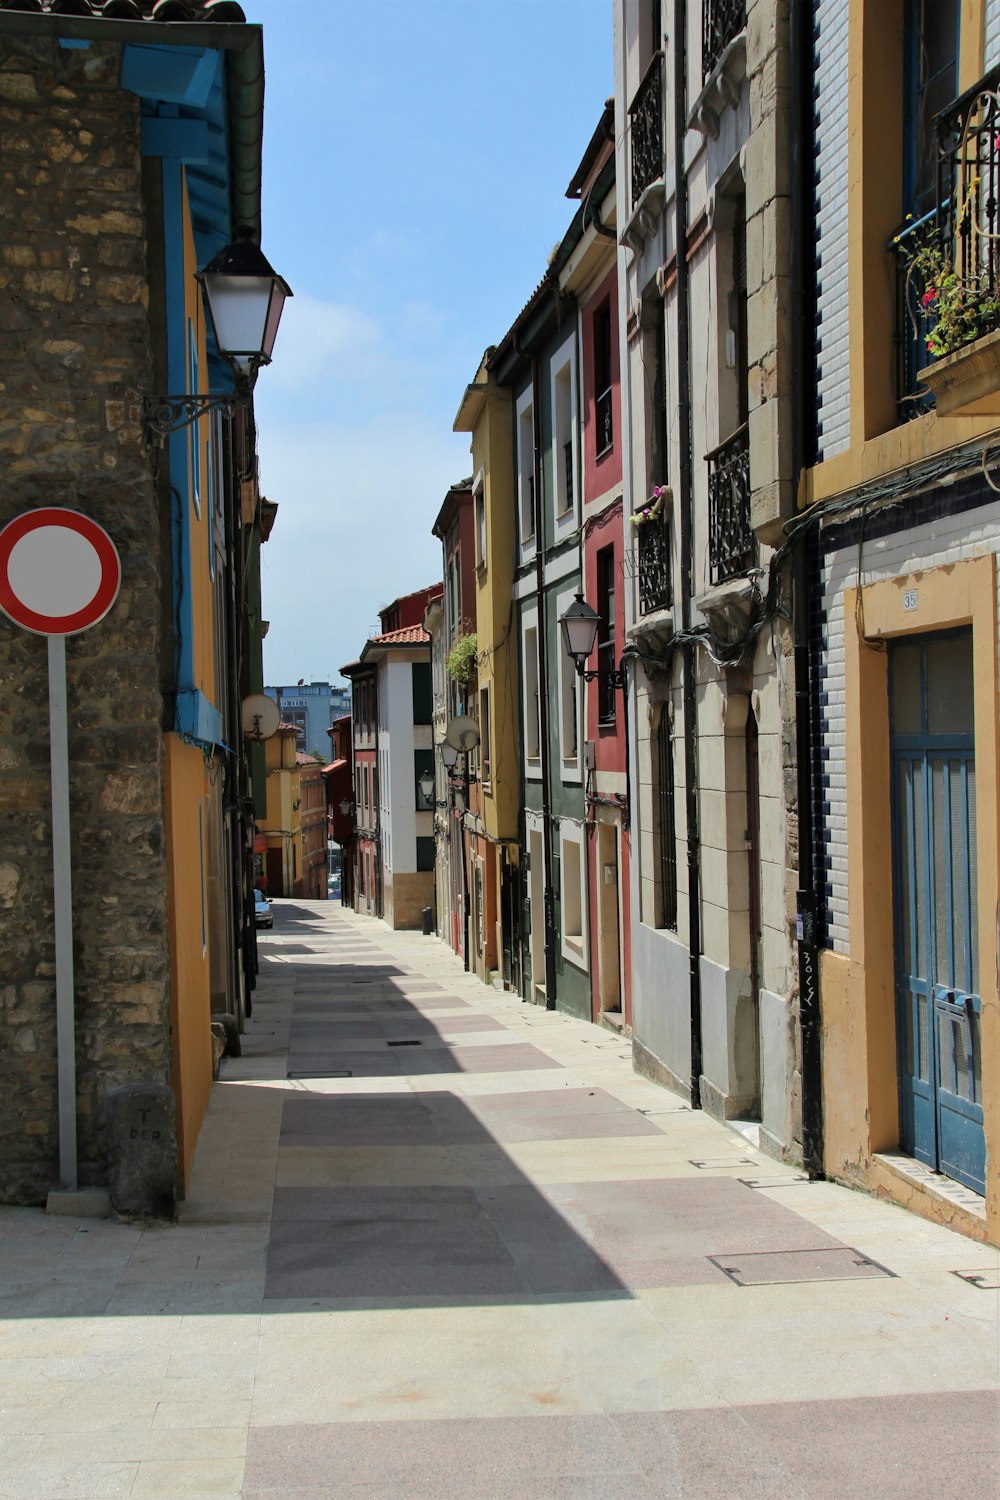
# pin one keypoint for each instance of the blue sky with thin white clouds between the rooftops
(416, 161)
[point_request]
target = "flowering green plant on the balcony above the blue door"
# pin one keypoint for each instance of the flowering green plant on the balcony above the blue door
(956, 310)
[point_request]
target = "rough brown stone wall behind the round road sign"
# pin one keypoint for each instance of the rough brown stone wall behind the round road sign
(76, 353)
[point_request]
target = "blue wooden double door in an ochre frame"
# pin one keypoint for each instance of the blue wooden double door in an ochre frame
(936, 905)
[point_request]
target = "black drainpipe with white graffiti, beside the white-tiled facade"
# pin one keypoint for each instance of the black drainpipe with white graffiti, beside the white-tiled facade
(804, 580)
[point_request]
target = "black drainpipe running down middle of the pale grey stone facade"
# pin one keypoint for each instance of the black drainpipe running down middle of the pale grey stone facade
(686, 497)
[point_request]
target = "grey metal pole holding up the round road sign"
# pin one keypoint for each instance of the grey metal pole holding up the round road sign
(64, 902)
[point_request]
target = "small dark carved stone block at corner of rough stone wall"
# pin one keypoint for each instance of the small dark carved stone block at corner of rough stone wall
(142, 1150)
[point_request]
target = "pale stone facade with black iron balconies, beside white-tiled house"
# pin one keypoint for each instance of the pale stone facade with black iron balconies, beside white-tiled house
(704, 227)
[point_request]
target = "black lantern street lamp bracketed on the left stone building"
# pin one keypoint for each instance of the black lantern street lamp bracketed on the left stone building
(245, 298)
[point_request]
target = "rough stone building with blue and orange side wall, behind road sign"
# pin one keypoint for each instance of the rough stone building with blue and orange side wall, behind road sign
(86, 323)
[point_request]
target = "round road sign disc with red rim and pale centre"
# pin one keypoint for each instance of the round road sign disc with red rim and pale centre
(59, 572)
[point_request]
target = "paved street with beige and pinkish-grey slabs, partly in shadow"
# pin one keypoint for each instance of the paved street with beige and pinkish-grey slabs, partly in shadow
(442, 1244)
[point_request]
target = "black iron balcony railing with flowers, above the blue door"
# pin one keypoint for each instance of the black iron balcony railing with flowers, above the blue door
(957, 242)
